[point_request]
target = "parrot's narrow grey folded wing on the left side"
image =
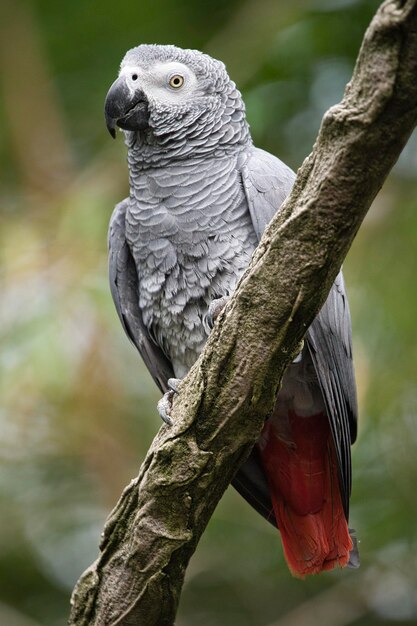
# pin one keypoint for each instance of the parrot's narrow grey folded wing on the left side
(124, 285)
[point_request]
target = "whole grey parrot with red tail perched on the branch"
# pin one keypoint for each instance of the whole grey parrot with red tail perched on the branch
(200, 197)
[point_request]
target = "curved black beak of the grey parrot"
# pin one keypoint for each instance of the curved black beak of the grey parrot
(125, 109)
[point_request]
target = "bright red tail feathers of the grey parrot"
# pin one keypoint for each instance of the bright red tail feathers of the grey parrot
(303, 481)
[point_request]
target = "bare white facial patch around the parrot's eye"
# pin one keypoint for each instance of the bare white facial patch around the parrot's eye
(155, 81)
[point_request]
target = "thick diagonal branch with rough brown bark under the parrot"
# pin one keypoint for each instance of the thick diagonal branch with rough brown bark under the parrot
(219, 412)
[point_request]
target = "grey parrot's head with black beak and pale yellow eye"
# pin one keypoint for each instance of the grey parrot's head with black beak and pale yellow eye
(166, 92)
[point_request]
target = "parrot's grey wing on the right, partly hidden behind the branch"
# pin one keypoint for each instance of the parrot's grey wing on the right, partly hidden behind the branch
(267, 182)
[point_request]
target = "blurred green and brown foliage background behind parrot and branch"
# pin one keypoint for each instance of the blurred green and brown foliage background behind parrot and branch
(77, 406)
